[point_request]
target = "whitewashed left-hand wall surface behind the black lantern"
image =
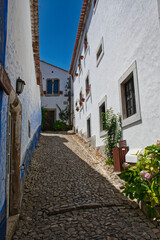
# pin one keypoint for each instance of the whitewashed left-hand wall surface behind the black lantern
(20, 63)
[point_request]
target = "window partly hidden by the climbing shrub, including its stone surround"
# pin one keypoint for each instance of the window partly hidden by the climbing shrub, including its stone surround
(102, 109)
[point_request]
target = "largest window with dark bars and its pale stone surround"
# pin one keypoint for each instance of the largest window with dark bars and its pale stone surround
(129, 96)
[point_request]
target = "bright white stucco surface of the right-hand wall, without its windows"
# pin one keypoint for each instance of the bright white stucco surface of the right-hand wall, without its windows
(131, 32)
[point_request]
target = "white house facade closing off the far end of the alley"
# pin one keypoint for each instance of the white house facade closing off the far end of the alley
(56, 90)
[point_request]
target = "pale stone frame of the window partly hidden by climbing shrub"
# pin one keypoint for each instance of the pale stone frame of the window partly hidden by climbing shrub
(103, 101)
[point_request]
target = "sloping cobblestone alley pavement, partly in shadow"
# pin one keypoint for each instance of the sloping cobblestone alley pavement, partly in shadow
(71, 194)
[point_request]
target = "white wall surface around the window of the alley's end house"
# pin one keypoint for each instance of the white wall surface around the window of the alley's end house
(52, 72)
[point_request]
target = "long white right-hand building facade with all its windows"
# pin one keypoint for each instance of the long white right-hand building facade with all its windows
(116, 63)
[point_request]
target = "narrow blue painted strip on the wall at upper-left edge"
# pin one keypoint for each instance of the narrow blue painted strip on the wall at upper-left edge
(3, 29)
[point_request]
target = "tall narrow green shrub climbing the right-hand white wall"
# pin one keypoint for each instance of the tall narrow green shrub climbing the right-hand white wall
(112, 125)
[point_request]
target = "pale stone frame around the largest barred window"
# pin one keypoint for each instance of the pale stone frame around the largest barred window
(132, 70)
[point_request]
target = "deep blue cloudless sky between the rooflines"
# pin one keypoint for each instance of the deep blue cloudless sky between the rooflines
(59, 21)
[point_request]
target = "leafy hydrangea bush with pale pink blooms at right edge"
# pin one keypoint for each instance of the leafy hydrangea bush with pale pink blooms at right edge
(142, 181)
